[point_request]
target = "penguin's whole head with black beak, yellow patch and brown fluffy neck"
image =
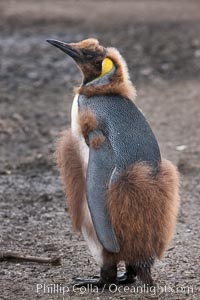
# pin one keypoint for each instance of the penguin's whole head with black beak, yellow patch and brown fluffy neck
(95, 62)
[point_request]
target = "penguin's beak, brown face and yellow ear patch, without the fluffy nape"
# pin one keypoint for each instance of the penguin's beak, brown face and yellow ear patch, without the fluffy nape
(88, 55)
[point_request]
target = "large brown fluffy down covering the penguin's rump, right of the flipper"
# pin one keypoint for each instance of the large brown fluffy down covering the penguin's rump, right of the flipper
(143, 211)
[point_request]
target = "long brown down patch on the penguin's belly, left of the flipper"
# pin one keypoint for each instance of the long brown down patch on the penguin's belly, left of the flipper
(70, 167)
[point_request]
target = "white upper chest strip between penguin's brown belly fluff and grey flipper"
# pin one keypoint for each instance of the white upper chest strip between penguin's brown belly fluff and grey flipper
(77, 135)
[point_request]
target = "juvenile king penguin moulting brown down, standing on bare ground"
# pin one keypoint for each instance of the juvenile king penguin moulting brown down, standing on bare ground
(122, 195)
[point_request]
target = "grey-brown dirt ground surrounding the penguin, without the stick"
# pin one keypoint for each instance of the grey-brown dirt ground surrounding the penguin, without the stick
(161, 43)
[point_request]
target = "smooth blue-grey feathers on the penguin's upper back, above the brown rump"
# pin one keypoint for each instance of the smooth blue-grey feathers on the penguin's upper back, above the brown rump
(125, 127)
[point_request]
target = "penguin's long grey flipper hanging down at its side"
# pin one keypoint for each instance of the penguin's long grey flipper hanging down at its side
(100, 167)
